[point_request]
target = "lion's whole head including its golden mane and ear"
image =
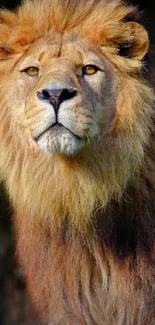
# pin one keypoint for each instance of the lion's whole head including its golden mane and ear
(75, 108)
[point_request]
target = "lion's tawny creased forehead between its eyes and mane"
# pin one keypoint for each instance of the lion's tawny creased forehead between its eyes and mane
(77, 52)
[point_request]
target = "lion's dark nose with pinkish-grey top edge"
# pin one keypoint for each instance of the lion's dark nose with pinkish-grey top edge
(56, 96)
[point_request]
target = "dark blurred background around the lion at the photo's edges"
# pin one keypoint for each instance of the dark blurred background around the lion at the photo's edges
(15, 306)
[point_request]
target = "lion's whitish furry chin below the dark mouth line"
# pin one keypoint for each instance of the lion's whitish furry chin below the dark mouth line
(59, 139)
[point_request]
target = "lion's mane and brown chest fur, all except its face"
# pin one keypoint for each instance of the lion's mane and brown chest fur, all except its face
(85, 224)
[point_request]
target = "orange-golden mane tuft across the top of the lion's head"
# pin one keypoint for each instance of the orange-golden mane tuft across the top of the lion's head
(22, 28)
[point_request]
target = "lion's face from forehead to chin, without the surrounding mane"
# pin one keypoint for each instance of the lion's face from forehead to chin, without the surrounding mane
(65, 95)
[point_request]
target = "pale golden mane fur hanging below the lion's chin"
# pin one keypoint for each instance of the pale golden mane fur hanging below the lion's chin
(60, 188)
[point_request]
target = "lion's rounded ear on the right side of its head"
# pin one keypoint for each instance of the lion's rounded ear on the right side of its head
(133, 41)
